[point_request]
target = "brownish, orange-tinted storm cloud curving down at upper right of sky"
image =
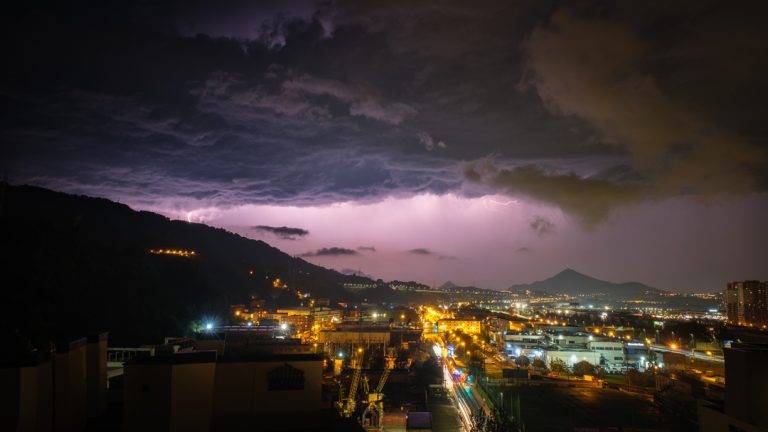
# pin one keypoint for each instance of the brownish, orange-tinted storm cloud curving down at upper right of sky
(597, 70)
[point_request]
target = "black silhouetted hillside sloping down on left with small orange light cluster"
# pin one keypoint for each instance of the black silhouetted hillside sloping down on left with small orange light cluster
(76, 264)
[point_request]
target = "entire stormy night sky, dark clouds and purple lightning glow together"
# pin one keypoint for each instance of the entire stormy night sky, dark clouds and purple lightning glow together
(486, 143)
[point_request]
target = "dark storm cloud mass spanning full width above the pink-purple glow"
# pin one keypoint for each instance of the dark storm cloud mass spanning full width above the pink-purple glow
(193, 104)
